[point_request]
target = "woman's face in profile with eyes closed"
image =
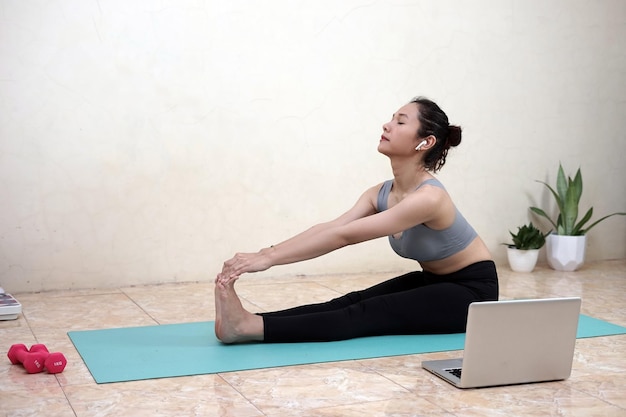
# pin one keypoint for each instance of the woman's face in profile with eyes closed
(400, 133)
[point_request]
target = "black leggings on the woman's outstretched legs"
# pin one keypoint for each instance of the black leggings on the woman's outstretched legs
(414, 303)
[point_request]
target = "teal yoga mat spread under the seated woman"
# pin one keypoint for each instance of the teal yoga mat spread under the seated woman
(135, 353)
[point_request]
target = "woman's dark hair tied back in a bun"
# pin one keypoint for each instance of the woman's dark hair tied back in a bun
(433, 121)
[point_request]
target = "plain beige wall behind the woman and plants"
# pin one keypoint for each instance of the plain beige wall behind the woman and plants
(146, 142)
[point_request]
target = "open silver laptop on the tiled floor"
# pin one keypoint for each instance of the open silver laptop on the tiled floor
(514, 342)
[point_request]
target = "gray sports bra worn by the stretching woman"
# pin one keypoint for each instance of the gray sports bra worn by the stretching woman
(422, 243)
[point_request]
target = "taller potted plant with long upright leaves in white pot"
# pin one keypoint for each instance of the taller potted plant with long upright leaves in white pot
(565, 249)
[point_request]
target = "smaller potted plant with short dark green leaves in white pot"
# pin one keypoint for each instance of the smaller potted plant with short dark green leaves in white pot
(524, 251)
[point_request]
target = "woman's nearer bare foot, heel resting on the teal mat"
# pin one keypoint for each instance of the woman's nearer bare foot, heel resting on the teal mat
(233, 323)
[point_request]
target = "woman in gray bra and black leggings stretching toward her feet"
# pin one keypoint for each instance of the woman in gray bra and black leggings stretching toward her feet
(422, 223)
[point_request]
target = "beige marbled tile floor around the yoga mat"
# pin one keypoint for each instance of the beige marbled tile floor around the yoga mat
(395, 386)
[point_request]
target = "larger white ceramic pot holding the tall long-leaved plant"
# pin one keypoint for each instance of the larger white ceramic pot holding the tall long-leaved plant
(565, 253)
